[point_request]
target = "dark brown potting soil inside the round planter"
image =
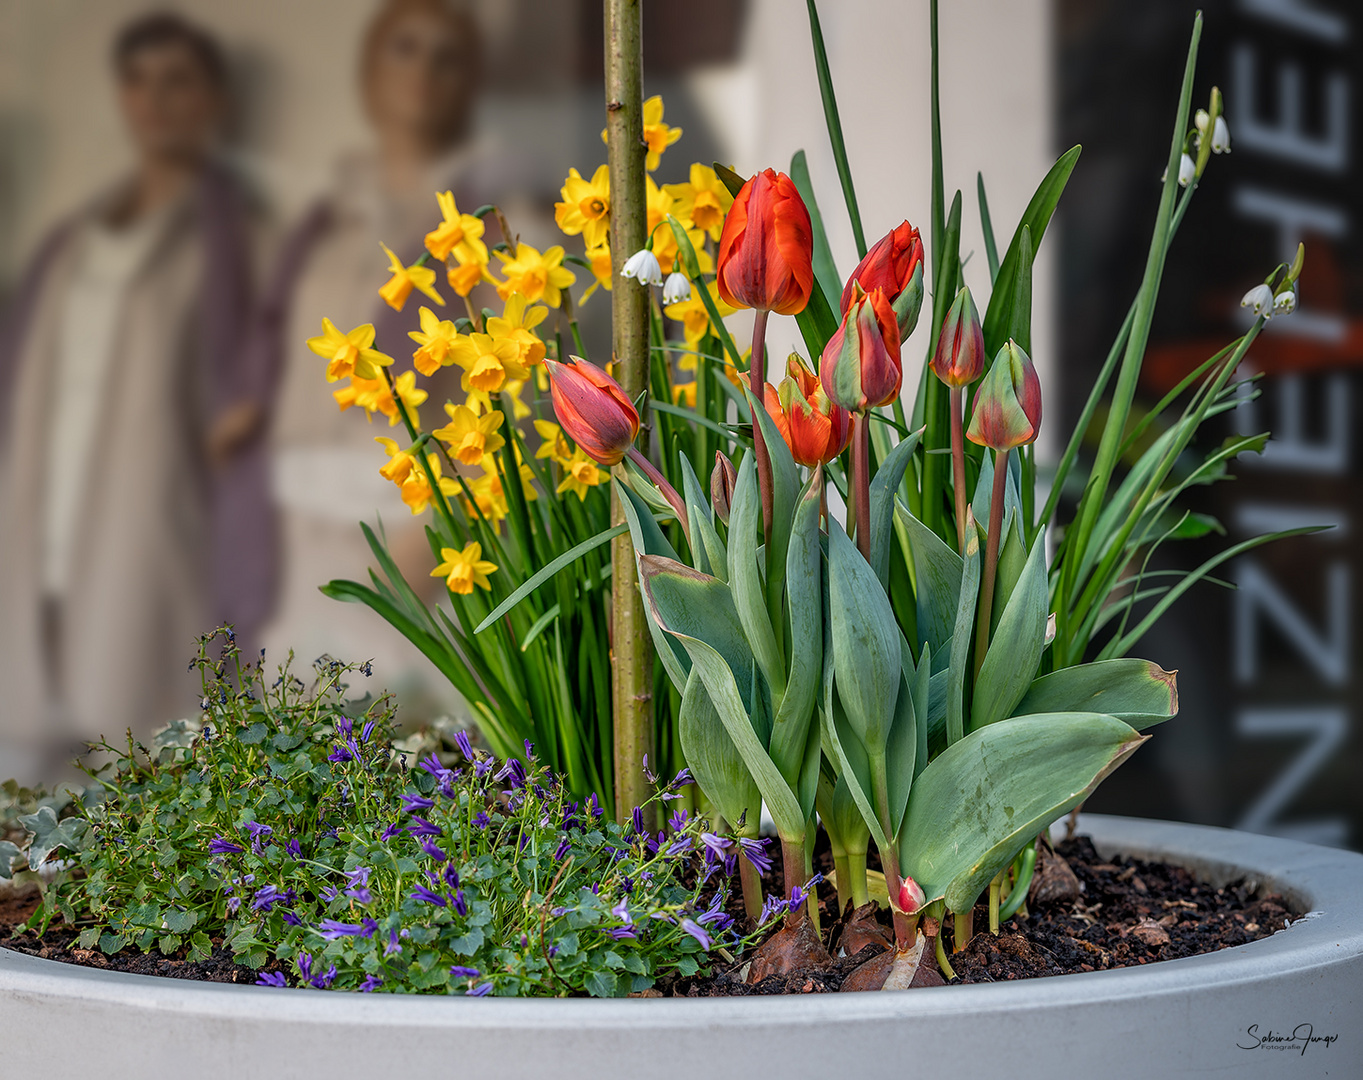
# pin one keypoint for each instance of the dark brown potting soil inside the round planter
(1084, 914)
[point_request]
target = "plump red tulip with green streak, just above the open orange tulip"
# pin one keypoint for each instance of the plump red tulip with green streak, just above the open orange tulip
(861, 365)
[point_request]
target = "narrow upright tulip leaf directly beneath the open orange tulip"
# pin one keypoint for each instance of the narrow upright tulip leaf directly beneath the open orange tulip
(805, 603)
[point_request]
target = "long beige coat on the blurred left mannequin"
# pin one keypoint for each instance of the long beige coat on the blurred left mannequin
(136, 597)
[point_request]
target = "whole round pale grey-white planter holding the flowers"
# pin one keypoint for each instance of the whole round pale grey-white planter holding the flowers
(1244, 1012)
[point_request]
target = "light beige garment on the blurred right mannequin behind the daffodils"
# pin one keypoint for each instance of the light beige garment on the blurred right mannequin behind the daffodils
(325, 472)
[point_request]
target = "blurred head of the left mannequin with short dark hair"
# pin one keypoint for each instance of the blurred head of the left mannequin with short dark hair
(172, 88)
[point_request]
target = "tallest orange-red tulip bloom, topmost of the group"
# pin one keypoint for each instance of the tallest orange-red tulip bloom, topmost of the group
(767, 249)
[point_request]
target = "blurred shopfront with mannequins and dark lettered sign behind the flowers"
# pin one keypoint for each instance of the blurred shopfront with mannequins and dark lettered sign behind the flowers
(186, 190)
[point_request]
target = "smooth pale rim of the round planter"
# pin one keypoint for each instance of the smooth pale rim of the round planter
(1324, 882)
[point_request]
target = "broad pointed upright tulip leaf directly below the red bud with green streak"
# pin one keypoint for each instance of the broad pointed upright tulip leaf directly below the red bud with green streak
(866, 644)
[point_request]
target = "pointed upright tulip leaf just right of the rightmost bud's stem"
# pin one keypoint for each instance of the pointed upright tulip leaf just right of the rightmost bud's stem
(1015, 652)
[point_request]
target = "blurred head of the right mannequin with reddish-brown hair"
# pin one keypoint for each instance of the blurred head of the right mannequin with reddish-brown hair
(419, 74)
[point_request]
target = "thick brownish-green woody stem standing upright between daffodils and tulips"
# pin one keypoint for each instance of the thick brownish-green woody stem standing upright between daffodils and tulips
(632, 643)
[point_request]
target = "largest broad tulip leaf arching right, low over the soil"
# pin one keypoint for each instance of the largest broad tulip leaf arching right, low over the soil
(982, 801)
